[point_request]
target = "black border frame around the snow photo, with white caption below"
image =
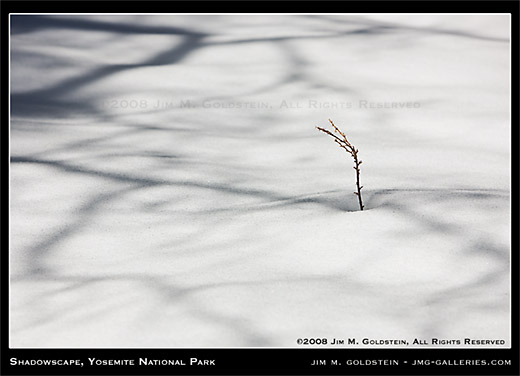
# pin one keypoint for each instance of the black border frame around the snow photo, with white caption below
(260, 361)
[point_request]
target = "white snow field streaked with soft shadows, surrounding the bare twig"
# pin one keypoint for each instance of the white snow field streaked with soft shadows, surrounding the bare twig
(169, 188)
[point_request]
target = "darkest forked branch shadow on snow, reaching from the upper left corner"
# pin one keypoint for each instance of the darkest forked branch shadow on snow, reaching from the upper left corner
(56, 98)
